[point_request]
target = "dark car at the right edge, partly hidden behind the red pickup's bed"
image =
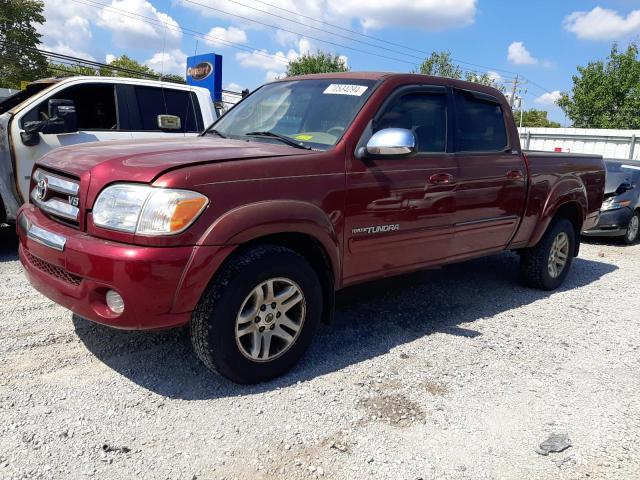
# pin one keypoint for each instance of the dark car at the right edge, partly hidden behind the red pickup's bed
(620, 212)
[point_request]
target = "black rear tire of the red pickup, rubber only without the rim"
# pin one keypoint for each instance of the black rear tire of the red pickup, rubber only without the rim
(534, 261)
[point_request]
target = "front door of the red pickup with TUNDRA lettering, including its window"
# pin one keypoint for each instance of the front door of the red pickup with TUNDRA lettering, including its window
(400, 211)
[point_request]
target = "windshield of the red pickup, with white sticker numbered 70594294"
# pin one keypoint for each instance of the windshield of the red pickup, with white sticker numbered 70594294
(313, 113)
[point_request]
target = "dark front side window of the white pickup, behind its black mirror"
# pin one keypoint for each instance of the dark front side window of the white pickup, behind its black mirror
(95, 106)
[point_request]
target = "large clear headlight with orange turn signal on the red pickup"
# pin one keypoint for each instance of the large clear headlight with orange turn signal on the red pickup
(147, 210)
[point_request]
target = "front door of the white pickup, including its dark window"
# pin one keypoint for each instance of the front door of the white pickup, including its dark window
(97, 121)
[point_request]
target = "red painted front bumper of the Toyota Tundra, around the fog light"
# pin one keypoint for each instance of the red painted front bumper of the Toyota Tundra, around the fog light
(160, 286)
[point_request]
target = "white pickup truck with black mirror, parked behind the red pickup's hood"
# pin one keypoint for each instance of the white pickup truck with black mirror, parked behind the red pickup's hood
(58, 112)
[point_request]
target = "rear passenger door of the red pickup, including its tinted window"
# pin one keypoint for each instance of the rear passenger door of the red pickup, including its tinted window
(491, 190)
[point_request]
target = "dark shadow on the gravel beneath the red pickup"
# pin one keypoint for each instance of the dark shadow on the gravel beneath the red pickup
(370, 320)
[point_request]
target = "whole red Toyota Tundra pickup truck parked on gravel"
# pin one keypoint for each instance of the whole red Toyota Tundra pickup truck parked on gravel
(308, 185)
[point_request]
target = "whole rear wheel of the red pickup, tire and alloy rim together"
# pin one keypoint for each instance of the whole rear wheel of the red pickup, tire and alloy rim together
(546, 265)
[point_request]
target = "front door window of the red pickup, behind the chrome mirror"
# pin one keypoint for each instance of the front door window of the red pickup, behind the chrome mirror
(423, 113)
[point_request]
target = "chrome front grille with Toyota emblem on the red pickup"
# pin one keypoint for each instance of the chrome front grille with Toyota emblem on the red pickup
(57, 196)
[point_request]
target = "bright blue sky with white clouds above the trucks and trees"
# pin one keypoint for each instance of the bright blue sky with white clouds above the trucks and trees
(541, 42)
